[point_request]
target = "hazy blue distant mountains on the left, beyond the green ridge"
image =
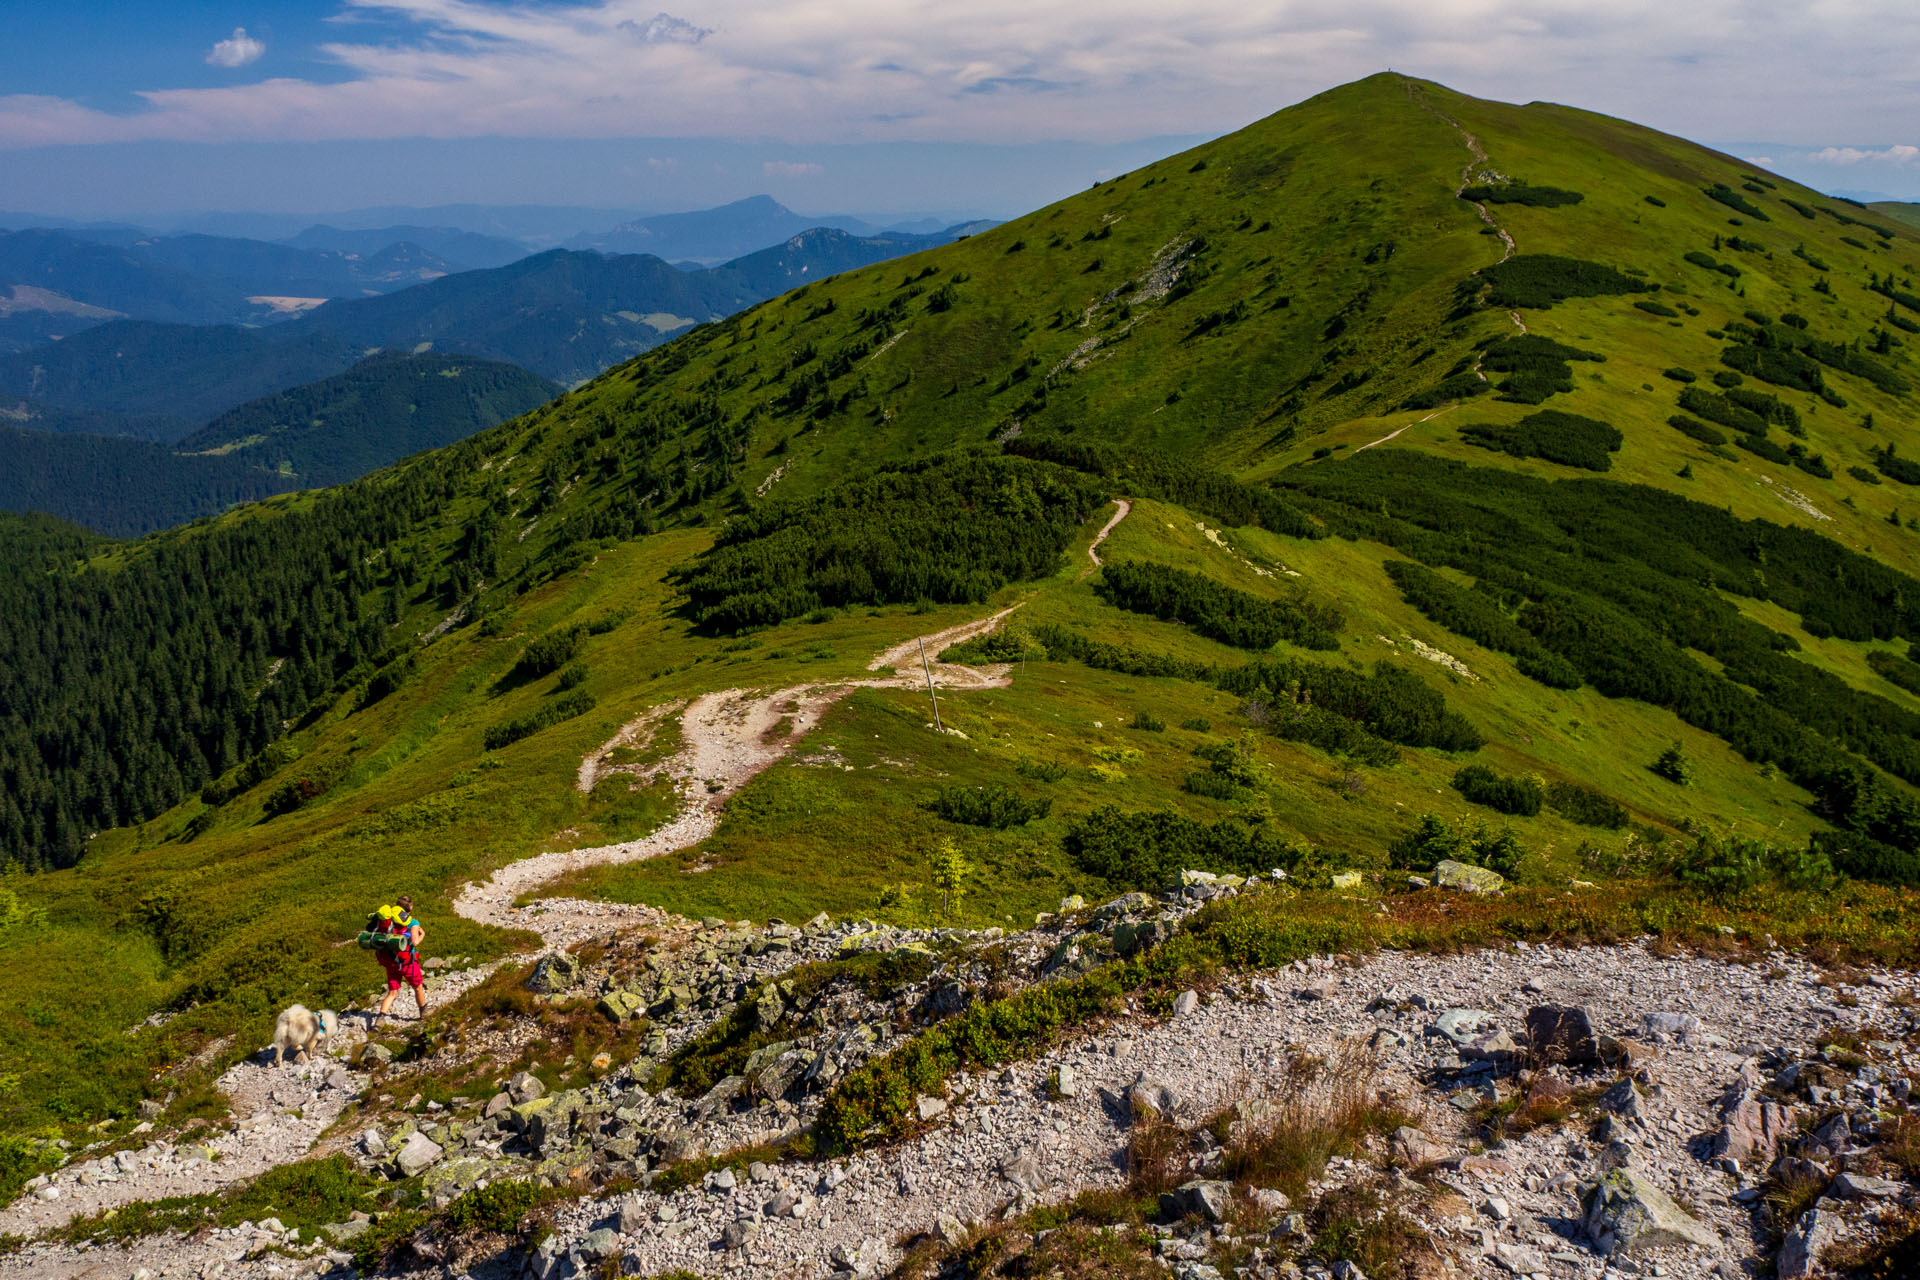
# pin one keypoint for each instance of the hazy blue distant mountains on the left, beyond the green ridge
(310, 375)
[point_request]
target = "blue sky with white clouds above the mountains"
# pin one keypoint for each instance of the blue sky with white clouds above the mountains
(116, 108)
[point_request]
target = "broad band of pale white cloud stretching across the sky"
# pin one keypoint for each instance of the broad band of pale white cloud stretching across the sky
(1020, 70)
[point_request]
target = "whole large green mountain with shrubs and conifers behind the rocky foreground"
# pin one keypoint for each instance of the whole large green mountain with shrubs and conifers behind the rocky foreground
(1548, 529)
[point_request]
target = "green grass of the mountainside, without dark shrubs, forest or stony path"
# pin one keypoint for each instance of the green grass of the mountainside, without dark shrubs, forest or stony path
(1249, 306)
